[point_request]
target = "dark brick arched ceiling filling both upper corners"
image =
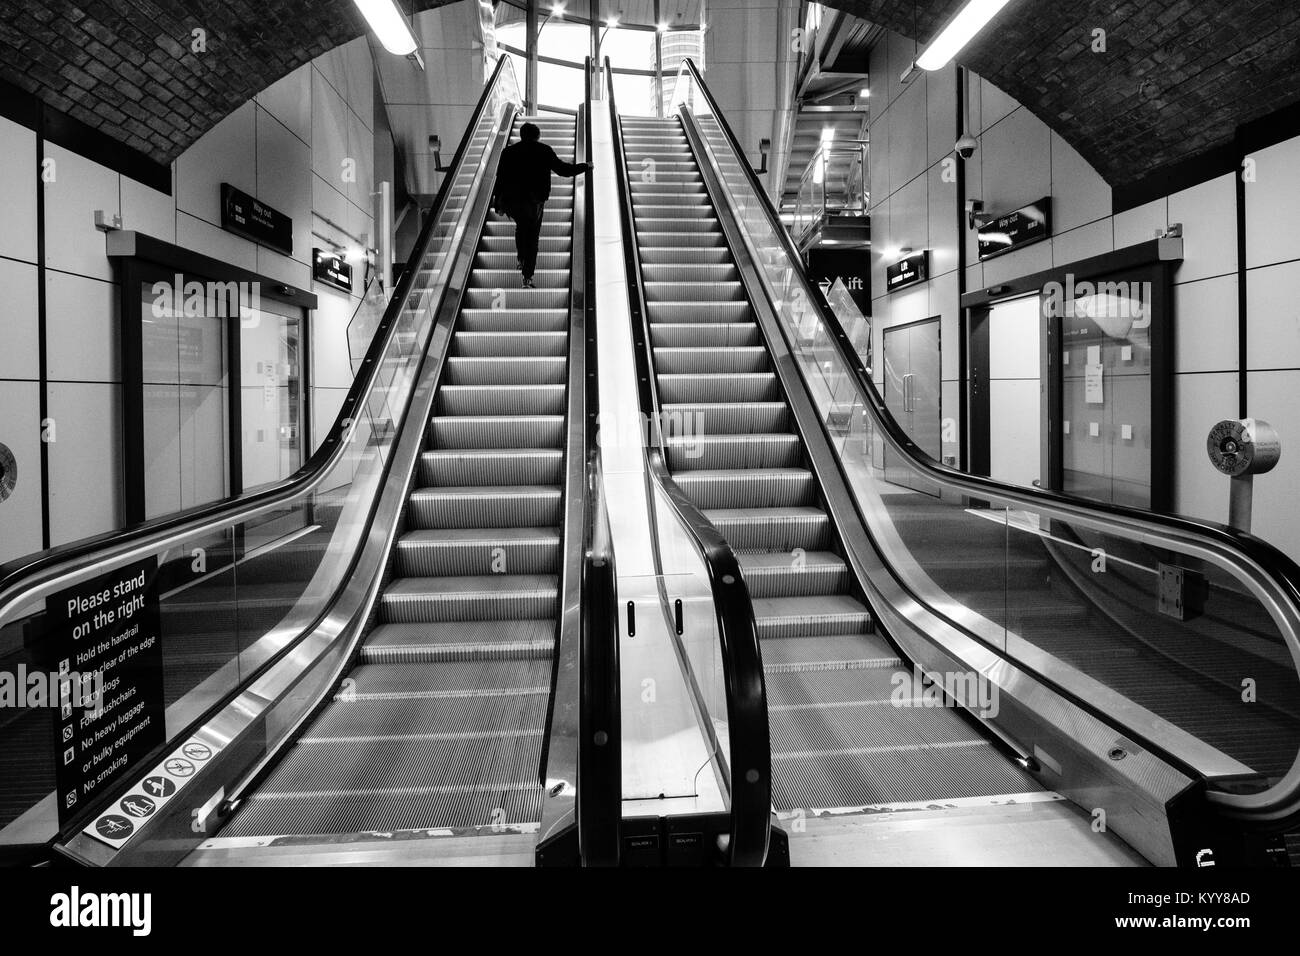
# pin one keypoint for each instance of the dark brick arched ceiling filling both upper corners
(1176, 81)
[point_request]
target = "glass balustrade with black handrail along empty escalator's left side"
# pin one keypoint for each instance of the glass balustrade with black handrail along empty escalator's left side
(717, 633)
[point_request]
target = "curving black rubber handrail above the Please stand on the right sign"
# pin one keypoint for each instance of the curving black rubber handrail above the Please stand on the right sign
(15, 574)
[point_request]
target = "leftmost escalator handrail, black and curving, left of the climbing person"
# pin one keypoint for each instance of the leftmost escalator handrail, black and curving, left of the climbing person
(86, 559)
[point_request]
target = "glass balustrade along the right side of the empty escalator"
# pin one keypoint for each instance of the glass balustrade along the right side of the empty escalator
(977, 555)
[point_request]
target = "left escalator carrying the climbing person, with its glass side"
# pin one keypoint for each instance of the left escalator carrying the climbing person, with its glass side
(410, 643)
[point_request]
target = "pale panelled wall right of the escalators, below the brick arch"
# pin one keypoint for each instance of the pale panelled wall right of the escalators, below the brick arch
(1020, 161)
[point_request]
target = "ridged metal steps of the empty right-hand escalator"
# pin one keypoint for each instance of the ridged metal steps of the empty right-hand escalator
(833, 685)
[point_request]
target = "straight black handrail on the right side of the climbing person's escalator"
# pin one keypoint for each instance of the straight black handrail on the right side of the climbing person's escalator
(600, 793)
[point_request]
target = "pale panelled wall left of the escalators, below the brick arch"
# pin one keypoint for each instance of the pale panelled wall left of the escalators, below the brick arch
(288, 149)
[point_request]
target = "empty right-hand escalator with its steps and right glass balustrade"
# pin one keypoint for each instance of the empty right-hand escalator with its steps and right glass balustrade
(977, 643)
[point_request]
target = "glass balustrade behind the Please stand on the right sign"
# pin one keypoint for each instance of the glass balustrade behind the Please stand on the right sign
(237, 585)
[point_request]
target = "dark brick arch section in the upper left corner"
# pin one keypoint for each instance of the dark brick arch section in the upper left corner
(131, 68)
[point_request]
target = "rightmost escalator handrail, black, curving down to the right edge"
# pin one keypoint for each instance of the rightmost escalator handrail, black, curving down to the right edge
(1275, 577)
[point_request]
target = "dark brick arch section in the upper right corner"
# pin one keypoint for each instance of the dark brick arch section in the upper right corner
(1177, 77)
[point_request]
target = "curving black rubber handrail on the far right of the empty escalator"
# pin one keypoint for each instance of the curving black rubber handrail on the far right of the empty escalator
(1284, 573)
